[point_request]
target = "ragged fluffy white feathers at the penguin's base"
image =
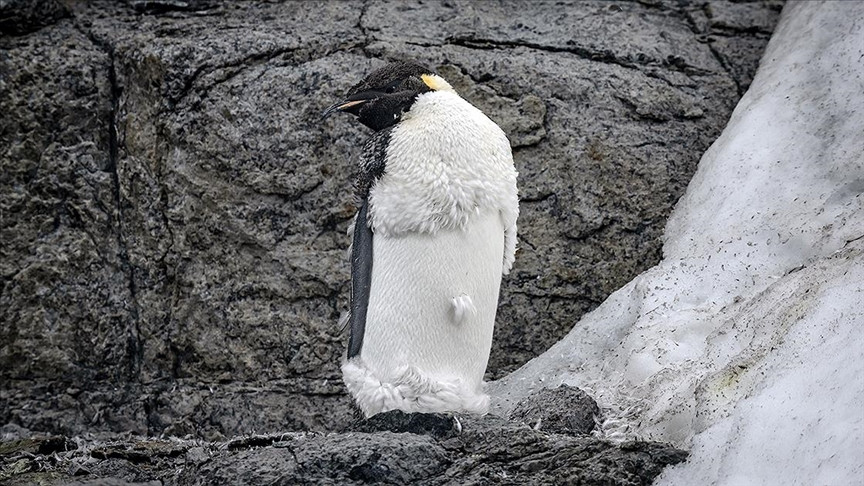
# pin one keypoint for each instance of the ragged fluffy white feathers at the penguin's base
(411, 391)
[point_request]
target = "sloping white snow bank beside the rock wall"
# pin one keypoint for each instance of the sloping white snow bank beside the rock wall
(746, 343)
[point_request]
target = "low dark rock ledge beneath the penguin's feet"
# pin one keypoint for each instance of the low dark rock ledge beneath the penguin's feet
(476, 451)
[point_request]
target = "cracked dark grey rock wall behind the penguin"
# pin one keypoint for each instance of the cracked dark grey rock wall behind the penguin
(173, 214)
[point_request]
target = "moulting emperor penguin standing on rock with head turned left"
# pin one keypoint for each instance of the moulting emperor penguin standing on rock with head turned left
(434, 232)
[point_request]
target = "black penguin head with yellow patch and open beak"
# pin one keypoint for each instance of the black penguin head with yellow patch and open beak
(382, 97)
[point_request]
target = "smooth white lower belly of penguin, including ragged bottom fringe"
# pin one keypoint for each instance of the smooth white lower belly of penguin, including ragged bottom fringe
(430, 319)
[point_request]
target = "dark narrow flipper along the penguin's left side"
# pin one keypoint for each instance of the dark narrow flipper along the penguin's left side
(372, 164)
